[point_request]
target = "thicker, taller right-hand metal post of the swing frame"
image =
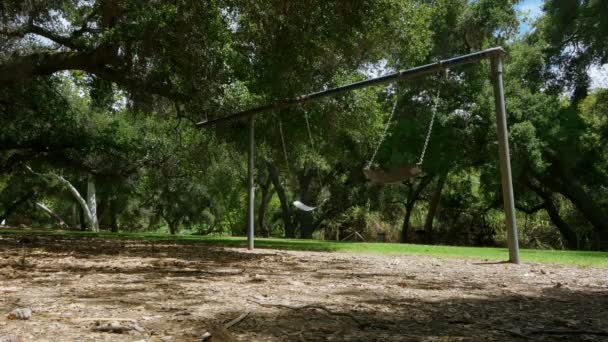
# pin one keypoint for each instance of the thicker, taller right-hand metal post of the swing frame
(505, 162)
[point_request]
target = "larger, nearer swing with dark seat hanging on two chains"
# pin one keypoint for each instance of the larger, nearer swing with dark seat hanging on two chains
(404, 172)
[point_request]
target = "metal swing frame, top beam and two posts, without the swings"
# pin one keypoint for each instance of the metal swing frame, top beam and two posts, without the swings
(495, 56)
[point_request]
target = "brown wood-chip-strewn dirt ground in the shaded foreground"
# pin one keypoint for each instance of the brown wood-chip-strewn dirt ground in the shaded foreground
(168, 292)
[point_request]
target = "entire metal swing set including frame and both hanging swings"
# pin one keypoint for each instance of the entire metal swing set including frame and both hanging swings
(404, 172)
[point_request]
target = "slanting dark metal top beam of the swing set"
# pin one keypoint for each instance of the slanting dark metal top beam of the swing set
(409, 73)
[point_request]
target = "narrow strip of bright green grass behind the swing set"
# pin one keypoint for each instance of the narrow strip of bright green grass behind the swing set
(578, 258)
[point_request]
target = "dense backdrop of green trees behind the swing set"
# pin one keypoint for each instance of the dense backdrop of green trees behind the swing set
(105, 94)
